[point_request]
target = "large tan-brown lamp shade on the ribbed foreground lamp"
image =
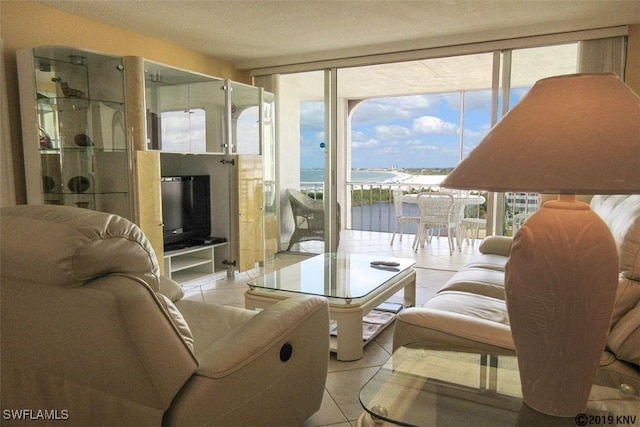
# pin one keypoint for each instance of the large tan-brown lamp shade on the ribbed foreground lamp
(573, 134)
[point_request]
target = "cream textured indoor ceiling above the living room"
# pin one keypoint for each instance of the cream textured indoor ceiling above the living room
(256, 34)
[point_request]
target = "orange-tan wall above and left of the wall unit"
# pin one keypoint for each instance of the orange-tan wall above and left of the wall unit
(26, 24)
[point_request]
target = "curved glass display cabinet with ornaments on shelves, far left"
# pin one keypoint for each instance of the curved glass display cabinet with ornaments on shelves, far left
(73, 122)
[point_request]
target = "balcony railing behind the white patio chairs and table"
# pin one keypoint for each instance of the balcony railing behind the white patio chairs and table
(371, 205)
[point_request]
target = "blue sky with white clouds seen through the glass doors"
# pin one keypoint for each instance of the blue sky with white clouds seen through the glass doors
(418, 131)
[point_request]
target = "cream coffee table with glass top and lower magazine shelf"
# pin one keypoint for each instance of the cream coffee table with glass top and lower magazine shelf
(354, 287)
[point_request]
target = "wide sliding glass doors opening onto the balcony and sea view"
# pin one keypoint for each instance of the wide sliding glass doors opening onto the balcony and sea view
(409, 120)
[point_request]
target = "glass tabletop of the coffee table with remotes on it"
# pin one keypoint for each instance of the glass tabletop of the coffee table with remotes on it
(335, 275)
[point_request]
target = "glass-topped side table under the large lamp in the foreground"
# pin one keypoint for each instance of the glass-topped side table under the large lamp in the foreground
(419, 387)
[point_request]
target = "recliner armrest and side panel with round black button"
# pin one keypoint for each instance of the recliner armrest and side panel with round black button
(245, 378)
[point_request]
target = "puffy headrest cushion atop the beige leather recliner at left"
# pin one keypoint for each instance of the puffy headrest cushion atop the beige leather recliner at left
(88, 244)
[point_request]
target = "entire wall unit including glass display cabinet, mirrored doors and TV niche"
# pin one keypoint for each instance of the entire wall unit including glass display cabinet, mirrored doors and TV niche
(82, 114)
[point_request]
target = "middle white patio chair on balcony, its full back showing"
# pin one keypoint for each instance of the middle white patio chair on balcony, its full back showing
(436, 213)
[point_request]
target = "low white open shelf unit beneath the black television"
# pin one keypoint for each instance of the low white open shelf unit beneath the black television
(191, 263)
